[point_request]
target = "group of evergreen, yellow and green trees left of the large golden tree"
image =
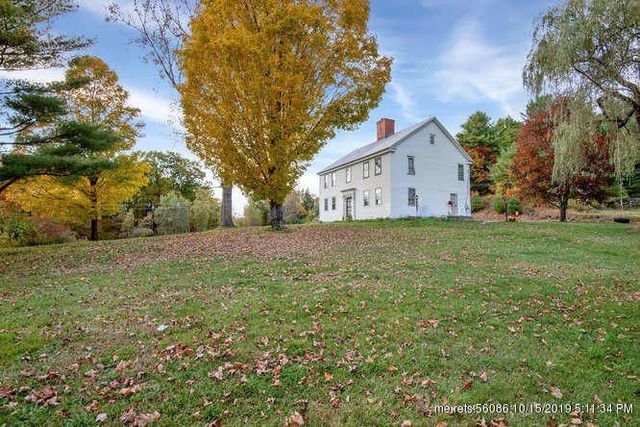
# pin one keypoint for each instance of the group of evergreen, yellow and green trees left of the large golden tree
(66, 160)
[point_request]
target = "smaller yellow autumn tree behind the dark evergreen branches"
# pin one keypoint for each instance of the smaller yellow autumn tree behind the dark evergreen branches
(97, 98)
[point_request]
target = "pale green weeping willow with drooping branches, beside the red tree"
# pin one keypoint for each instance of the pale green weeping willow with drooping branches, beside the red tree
(586, 52)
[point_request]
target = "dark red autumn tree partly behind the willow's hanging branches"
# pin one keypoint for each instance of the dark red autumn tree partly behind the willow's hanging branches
(534, 164)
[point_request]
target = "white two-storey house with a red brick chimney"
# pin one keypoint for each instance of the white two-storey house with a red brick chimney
(420, 171)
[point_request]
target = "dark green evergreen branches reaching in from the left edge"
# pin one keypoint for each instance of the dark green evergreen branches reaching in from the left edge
(42, 139)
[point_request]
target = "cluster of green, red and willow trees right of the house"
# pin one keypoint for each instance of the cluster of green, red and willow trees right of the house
(578, 139)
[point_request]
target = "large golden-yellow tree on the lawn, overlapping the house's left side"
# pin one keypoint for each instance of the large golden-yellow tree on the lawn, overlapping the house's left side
(268, 82)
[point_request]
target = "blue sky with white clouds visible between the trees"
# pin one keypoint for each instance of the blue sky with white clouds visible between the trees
(451, 58)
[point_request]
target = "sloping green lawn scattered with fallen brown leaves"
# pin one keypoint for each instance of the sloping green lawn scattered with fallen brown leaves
(362, 323)
